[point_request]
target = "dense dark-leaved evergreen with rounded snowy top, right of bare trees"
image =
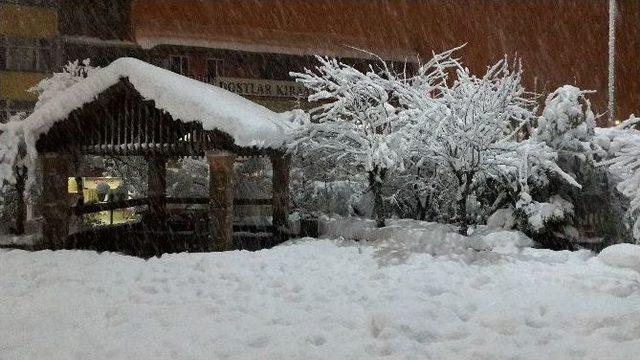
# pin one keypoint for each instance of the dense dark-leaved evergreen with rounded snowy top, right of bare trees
(567, 125)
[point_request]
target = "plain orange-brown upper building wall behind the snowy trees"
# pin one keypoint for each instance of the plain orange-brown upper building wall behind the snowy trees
(559, 41)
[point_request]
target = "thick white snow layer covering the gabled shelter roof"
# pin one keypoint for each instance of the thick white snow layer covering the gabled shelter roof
(185, 99)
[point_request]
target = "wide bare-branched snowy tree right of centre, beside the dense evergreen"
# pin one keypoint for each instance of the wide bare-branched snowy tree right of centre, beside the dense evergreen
(472, 137)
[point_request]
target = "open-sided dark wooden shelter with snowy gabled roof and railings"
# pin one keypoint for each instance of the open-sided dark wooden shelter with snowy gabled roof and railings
(119, 121)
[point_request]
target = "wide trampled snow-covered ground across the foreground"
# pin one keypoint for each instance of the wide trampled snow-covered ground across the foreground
(317, 299)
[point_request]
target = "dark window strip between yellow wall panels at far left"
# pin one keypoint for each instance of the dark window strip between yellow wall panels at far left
(25, 54)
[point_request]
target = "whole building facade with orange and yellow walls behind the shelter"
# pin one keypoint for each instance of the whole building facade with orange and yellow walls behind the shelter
(249, 47)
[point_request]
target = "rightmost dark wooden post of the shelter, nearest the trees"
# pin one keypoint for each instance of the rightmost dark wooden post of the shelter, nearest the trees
(280, 200)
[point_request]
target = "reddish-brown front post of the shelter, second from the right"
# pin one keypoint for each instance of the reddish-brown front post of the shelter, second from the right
(221, 200)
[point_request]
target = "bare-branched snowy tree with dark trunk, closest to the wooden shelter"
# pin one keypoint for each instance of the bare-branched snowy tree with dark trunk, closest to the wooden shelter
(356, 125)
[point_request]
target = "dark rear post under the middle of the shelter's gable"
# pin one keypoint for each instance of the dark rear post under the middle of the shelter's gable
(157, 184)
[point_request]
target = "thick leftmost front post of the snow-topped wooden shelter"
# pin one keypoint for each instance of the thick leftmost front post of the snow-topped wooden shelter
(56, 201)
